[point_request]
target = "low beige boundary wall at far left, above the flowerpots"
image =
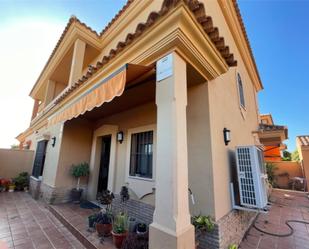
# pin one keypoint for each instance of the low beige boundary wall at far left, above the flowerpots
(13, 162)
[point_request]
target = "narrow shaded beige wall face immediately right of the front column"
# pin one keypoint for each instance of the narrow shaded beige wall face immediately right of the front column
(199, 150)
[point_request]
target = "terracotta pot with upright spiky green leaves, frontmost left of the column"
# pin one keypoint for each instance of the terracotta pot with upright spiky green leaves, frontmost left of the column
(119, 232)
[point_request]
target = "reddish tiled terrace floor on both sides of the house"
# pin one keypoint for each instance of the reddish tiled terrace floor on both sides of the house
(26, 223)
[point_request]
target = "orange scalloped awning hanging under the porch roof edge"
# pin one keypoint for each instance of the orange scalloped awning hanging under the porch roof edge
(104, 91)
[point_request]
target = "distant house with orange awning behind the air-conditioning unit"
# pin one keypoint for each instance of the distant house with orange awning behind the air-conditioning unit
(272, 137)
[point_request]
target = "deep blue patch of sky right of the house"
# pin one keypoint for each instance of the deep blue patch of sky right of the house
(279, 36)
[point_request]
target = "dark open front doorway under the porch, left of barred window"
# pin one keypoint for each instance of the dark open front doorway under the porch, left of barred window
(104, 163)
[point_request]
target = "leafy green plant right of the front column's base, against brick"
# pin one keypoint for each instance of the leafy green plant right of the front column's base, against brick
(202, 224)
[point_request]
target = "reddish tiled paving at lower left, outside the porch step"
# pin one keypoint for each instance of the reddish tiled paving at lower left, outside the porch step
(26, 224)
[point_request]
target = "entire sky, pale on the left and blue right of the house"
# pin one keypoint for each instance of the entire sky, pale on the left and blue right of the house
(278, 32)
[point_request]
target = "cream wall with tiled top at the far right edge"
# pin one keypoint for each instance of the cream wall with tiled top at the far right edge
(302, 144)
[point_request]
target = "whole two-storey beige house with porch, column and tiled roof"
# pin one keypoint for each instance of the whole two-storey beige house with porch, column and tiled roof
(145, 103)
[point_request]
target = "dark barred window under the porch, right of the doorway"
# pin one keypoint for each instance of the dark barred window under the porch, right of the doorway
(141, 154)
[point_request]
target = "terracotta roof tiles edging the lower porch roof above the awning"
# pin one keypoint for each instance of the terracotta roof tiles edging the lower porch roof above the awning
(197, 9)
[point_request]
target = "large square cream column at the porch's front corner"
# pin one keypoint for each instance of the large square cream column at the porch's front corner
(171, 227)
